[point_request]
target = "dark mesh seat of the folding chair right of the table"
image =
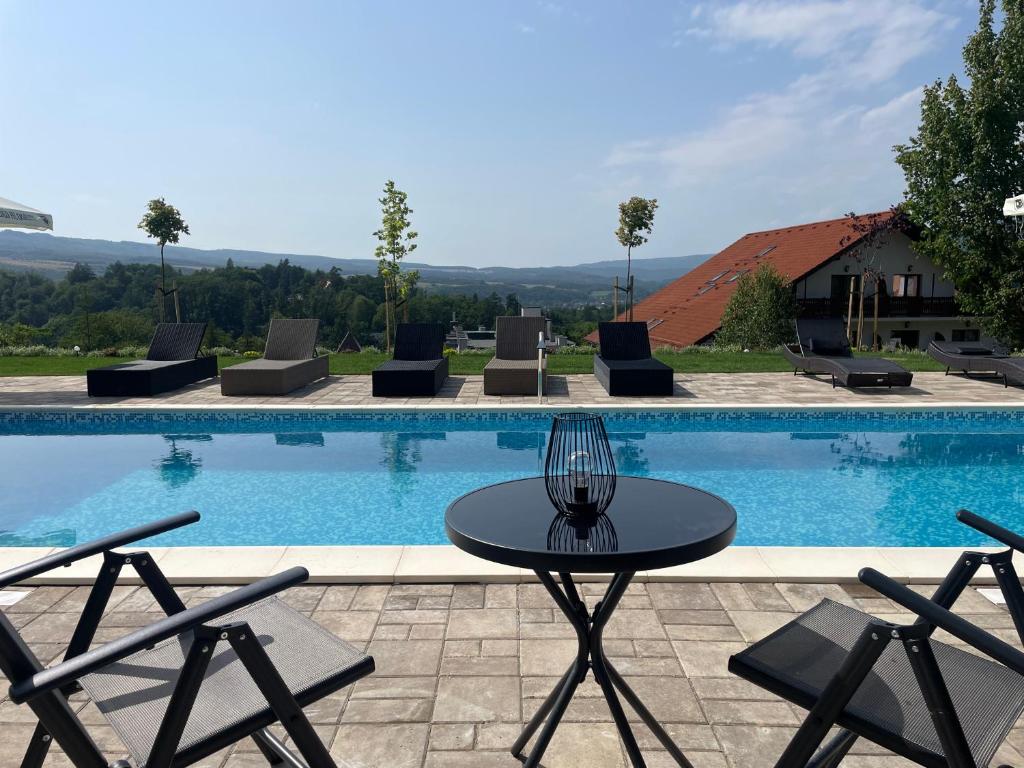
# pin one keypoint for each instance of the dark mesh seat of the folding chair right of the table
(798, 661)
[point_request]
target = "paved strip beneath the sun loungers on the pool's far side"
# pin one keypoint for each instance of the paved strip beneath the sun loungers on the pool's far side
(692, 391)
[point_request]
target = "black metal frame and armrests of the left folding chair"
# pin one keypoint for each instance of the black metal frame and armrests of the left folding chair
(47, 692)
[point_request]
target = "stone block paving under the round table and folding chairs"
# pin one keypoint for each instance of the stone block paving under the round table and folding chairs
(460, 667)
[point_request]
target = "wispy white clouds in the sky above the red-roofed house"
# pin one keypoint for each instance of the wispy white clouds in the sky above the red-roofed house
(821, 143)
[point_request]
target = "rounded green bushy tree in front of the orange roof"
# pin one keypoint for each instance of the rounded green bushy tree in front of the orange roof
(760, 312)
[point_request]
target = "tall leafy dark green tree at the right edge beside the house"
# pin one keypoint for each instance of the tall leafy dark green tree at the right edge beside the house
(967, 157)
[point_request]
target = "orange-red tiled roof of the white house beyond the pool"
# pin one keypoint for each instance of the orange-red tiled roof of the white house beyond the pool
(690, 310)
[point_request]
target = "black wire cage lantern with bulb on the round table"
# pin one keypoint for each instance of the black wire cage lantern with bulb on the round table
(580, 473)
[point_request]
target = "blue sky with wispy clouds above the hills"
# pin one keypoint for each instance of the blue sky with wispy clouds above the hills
(516, 127)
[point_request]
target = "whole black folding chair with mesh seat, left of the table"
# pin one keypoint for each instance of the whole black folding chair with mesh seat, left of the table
(170, 694)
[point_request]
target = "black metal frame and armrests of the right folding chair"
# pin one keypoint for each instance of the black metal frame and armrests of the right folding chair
(803, 750)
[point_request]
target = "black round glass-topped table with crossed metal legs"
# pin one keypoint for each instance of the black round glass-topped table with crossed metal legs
(649, 525)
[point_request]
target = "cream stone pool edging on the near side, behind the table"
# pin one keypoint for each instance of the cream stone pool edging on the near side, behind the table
(446, 564)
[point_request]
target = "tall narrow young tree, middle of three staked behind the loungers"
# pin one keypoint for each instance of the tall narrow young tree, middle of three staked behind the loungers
(396, 239)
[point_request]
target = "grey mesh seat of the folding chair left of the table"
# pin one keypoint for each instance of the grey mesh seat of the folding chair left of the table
(134, 695)
